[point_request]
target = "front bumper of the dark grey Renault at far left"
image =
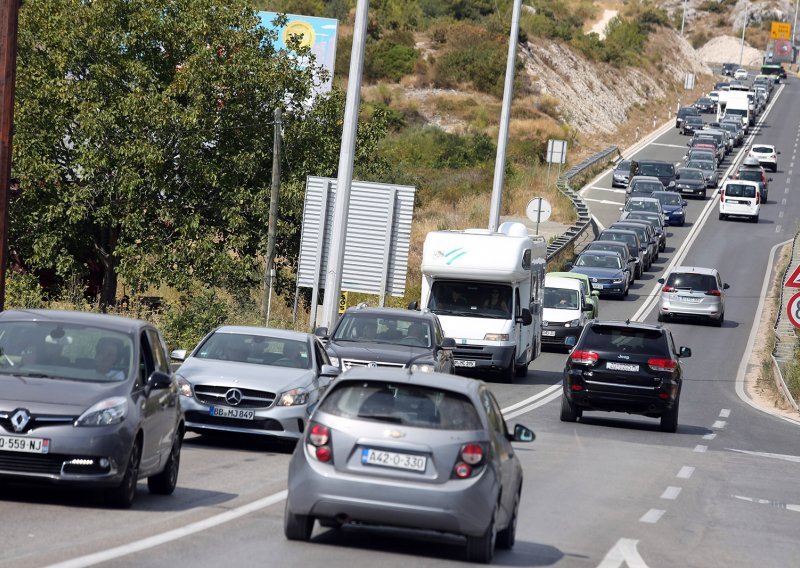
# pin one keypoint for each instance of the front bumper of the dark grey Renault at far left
(90, 456)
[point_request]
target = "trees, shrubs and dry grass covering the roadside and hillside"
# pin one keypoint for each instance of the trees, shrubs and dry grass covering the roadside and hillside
(146, 173)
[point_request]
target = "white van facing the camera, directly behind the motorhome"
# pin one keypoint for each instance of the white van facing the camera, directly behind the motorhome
(566, 311)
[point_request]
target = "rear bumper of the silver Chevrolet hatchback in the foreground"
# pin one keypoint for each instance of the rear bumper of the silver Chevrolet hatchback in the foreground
(459, 506)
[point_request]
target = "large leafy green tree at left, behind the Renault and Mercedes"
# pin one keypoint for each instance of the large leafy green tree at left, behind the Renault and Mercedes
(143, 139)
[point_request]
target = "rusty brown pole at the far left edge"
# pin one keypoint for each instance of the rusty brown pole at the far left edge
(8, 69)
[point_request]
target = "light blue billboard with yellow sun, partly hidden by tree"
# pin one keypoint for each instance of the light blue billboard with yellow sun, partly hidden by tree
(318, 33)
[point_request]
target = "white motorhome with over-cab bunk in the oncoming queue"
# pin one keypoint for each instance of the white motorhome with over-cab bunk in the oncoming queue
(487, 290)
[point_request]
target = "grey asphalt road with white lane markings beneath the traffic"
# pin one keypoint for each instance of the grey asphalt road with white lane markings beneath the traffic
(610, 490)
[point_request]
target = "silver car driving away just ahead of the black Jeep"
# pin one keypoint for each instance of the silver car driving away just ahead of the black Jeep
(693, 292)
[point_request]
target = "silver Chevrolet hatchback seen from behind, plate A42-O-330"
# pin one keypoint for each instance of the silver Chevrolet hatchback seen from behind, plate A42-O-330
(422, 451)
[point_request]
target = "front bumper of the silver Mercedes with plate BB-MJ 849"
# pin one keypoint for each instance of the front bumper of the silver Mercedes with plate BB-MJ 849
(277, 421)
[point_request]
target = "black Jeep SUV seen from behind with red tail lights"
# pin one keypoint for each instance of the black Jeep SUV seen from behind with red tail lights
(624, 367)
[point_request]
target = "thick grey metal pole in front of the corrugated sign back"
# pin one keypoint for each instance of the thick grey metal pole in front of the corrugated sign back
(333, 279)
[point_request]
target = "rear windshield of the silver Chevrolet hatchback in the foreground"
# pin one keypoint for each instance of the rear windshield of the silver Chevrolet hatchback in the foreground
(402, 404)
